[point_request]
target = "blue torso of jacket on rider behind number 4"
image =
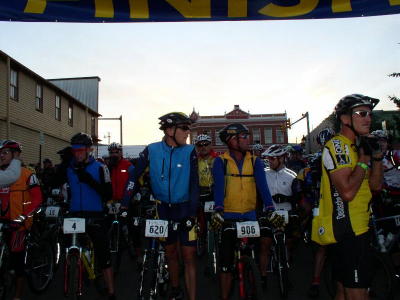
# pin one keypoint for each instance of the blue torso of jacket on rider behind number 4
(84, 197)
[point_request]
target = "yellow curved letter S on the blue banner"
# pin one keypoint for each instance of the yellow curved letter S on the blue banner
(304, 7)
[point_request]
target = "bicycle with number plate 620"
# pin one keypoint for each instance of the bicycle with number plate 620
(153, 275)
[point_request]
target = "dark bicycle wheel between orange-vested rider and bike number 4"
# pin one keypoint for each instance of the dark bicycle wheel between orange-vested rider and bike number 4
(39, 266)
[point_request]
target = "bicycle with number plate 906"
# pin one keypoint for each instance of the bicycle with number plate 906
(247, 272)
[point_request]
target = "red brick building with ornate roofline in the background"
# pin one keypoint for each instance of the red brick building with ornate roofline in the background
(266, 129)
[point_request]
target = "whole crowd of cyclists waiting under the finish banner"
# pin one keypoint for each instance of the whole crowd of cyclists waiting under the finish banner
(331, 192)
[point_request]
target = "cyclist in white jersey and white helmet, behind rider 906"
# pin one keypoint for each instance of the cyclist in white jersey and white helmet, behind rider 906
(281, 182)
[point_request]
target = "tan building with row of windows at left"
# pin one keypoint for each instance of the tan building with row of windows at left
(44, 114)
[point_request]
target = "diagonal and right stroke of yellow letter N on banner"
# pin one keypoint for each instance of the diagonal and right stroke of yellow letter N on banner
(193, 8)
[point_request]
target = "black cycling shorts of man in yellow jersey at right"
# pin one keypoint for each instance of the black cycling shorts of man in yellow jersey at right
(352, 261)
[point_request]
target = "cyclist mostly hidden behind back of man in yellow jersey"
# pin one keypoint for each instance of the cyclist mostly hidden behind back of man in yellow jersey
(309, 180)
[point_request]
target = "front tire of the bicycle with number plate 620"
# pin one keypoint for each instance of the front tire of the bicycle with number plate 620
(147, 289)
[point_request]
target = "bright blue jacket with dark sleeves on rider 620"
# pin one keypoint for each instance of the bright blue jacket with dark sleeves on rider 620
(173, 177)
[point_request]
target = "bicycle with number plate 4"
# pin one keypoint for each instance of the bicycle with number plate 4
(80, 258)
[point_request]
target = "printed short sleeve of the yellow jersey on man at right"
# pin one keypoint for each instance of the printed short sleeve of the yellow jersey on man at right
(336, 155)
